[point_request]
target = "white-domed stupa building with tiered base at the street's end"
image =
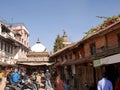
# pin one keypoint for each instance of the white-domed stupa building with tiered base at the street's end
(37, 58)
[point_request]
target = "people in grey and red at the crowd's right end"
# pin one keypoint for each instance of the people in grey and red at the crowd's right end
(58, 83)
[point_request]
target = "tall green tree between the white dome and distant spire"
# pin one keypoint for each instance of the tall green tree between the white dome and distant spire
(58, 44)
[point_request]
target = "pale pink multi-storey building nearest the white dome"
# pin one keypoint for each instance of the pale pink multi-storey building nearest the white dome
(22, 37)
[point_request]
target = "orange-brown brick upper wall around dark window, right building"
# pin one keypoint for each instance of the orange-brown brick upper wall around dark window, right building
(109, 39)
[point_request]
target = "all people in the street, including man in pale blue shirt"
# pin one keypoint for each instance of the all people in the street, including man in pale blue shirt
(50, 80)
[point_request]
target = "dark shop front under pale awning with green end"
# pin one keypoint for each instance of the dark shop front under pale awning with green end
(110, 65)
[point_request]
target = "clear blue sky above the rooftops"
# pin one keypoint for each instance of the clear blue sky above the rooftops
(45, 19)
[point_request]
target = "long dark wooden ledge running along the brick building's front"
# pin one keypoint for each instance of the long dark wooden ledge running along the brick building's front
(102, 54)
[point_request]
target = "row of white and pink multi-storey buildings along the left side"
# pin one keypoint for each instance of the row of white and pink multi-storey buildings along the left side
(11, 48)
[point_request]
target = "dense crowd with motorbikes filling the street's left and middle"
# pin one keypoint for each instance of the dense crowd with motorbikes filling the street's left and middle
(17, 76)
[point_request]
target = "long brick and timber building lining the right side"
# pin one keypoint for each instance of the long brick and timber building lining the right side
(85, 61)
